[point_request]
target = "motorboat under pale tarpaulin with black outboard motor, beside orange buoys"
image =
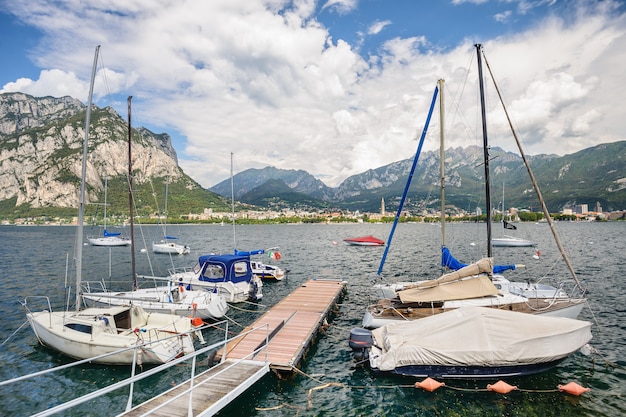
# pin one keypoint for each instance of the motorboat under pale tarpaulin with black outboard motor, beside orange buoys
(473, 343)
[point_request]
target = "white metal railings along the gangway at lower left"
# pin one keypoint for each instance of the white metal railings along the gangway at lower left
(134, 377)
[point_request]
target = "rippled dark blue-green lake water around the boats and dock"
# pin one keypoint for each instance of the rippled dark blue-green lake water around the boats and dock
(33, 262)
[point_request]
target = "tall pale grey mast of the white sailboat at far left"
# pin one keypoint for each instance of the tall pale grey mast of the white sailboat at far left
(81, 197)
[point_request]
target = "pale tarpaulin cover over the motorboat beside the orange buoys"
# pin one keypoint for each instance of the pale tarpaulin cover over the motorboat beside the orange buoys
(478, 336)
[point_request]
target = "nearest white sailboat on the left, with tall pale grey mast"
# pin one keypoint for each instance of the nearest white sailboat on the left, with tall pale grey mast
(125, 334)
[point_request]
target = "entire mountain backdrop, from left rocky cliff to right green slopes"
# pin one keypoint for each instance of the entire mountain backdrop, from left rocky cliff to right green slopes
(41, 149)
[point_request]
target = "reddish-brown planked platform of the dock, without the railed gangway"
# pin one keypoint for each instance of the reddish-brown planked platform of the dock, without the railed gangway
(293, 324)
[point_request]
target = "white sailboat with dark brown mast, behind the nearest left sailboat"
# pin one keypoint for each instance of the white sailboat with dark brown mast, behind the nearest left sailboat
(171, 298)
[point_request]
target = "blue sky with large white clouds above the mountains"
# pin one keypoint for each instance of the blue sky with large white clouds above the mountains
(333, 87)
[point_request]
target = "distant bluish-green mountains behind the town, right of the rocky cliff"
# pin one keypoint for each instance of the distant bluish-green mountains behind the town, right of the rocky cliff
(593, 176)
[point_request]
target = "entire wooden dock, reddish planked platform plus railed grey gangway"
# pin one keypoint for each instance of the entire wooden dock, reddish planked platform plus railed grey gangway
(288, 330)
